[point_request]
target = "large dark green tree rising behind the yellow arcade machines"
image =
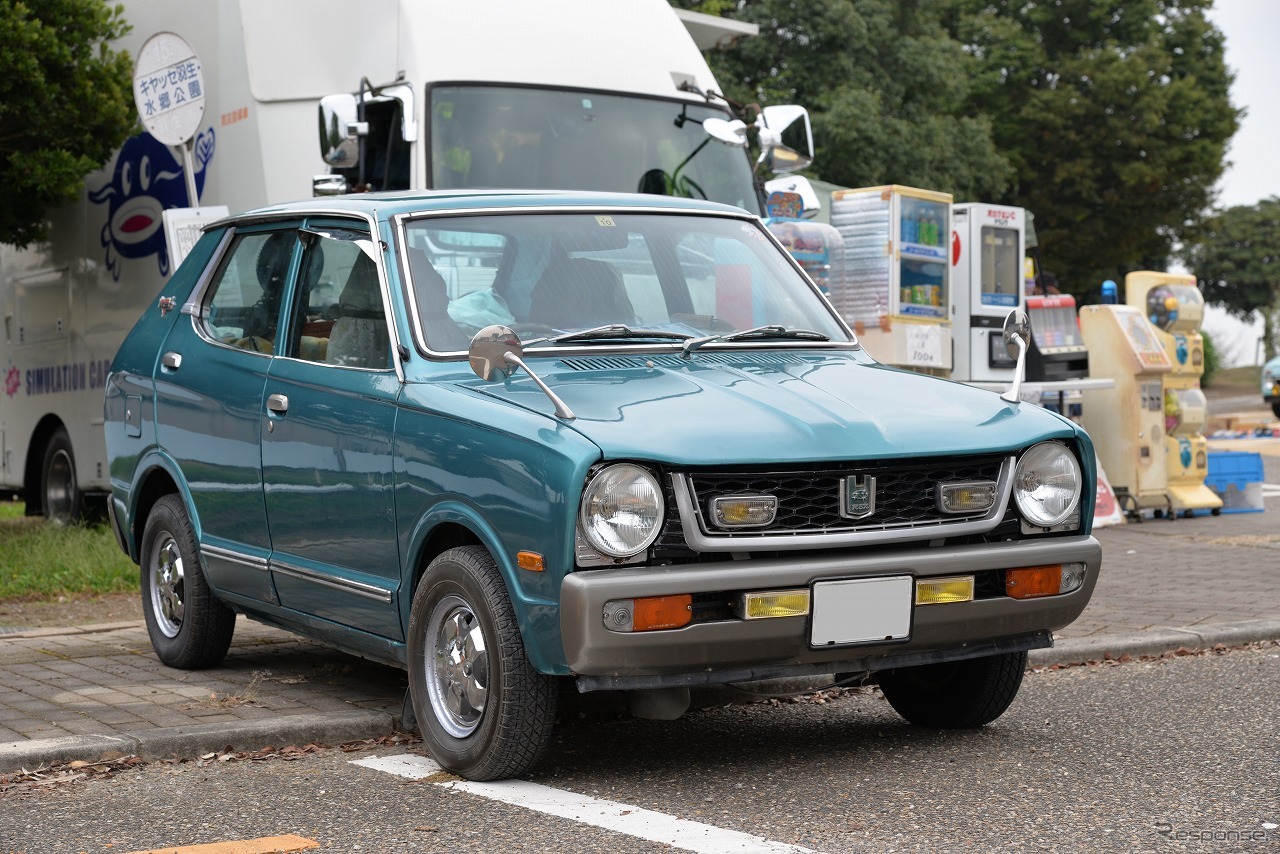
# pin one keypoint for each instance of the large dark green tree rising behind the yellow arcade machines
(1116, 116)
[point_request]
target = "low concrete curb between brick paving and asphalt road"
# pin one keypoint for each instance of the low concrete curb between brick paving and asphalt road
(189, 742)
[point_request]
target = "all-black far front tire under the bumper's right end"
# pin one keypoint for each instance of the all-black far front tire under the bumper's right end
(956, 696)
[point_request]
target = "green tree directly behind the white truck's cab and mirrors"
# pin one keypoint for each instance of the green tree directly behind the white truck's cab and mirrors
(885, 85)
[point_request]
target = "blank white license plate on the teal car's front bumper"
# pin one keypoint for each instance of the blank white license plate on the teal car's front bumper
(860, 611)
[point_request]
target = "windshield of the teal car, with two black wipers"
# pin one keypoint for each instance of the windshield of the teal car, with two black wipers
(614, 277)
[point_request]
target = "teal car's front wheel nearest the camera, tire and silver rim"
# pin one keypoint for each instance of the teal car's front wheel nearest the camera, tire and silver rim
(483, 711)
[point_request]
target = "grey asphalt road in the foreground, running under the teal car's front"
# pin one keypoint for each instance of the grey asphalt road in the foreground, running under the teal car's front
(1168, 755)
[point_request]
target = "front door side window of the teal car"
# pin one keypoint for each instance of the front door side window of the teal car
(339, 313)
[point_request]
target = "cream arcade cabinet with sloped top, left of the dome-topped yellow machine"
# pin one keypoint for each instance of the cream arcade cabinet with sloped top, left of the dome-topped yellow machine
(1127, 421)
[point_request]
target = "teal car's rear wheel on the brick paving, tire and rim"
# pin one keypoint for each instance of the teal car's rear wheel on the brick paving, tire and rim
(190, 628)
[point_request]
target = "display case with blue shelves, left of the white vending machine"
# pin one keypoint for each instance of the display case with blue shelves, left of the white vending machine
(897, 290)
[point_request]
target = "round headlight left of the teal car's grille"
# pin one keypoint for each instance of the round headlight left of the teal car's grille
(623, 510)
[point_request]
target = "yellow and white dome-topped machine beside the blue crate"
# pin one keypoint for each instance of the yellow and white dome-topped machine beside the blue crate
(1176, 308)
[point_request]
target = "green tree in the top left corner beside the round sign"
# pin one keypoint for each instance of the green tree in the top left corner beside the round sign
(66, 106)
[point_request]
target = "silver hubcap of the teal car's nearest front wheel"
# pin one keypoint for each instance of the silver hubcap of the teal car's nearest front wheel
(459, 678)
